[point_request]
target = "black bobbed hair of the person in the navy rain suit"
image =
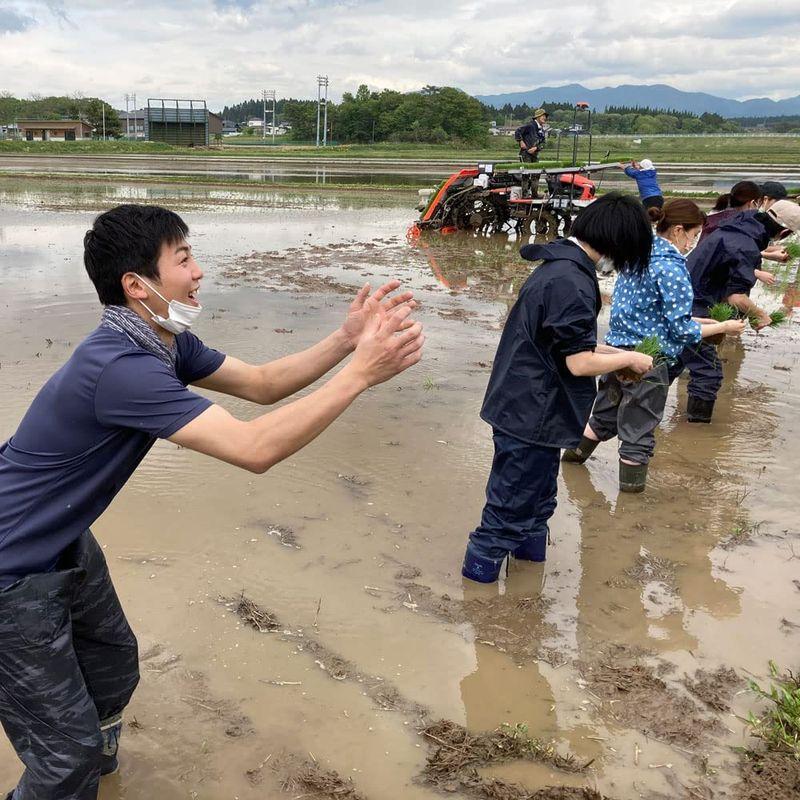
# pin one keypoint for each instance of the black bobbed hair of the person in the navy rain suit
(617, 226)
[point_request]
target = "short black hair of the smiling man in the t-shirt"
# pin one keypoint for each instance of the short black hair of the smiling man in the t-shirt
(128, 239)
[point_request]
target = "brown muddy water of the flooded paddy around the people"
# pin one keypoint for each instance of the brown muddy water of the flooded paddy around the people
(355, 543)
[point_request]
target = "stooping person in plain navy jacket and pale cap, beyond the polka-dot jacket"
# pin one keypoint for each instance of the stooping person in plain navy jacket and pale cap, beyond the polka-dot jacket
(722, 268)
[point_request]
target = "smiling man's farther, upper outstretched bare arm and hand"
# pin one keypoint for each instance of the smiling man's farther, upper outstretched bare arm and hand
(268, 383)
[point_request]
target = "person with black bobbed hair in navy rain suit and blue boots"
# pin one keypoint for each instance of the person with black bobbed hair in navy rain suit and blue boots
(542, 384)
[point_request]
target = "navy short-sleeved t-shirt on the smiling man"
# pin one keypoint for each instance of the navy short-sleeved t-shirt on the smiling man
(83, 436)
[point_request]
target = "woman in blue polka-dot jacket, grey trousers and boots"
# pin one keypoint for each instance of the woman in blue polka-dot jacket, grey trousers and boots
(654, 302)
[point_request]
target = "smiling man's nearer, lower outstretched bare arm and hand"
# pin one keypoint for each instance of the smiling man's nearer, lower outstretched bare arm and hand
(386, 347)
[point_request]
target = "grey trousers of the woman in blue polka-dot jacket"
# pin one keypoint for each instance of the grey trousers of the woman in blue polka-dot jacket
(631, 411)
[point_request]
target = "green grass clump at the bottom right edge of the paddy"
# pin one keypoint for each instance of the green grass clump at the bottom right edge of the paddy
(779, 725)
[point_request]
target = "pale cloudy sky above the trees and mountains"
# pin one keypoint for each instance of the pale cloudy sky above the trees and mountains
(228, 50)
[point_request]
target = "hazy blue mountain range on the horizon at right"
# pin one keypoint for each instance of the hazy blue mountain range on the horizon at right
(657, 95)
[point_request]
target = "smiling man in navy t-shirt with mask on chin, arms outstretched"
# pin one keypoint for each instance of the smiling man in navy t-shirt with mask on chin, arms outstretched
(68, 658)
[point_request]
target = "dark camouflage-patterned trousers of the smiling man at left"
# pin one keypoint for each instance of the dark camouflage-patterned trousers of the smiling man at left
(68, 659)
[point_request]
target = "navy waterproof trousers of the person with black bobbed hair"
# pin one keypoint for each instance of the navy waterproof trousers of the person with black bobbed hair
(520, 496)
